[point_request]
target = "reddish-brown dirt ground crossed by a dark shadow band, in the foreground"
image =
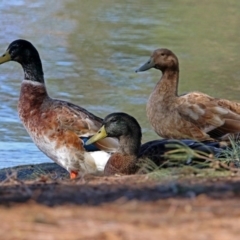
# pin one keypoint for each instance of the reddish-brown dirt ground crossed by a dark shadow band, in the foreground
(120, 207)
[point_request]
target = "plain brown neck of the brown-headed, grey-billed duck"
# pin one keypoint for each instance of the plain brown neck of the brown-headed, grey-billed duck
(168, 84)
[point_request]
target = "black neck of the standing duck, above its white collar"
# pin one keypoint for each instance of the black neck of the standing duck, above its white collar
(33, 70)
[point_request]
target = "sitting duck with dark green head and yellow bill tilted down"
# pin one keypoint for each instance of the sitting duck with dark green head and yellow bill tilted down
(125, 161)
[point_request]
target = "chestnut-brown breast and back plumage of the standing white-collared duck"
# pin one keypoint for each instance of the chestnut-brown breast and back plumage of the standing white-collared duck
(44, 115)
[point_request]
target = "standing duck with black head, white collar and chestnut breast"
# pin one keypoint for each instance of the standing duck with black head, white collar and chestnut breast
(57, 127)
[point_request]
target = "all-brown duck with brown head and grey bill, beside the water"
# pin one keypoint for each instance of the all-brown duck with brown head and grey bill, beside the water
(194, 115)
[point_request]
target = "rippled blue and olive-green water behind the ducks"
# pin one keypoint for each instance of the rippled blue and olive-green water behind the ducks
(90, 50)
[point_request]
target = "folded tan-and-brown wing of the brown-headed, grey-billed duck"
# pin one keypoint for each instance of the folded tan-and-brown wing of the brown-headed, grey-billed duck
(208, 115)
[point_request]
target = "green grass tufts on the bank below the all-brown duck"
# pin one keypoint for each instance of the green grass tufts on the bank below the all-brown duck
(185, 162)
